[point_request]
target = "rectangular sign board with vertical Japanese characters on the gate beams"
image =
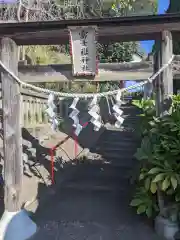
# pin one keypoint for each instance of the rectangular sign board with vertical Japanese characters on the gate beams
(83, 50)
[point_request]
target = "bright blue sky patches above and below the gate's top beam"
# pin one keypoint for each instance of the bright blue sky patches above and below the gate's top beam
(162, 7)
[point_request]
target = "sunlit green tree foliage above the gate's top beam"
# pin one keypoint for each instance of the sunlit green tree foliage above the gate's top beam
(90, 8)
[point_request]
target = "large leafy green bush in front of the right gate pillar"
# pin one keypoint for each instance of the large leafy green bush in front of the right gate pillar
(159, 157)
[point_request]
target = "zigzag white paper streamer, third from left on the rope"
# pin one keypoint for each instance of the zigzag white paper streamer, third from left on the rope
(94, 113)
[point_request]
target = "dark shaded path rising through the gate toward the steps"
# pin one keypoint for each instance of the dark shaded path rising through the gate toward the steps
(94, 203)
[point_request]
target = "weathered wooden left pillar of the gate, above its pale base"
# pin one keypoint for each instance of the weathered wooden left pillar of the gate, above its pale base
(11, 104)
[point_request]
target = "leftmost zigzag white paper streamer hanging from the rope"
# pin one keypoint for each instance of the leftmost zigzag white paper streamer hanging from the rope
(51, 112)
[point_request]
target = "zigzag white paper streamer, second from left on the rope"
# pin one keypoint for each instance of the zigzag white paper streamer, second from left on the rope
(74, 116)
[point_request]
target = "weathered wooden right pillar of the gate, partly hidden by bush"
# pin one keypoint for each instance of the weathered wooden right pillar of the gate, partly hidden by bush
(163, 88)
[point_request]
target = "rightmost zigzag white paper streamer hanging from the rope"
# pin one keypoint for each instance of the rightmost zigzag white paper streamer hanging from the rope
(117, 111)
